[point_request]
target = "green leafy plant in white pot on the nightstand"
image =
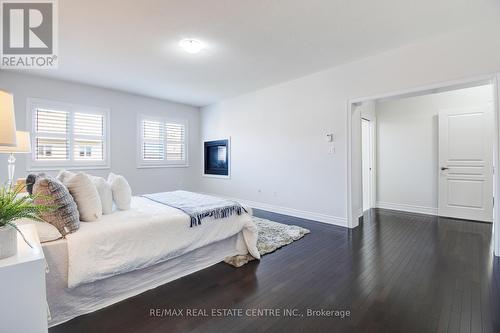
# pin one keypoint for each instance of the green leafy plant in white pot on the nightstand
(14, 206)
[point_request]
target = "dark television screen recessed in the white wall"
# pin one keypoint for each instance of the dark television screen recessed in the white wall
(216, 155)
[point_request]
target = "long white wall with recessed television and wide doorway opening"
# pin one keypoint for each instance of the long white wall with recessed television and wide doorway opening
(279, 155)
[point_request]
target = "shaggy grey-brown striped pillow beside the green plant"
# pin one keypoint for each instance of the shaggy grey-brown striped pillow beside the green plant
(65, 216)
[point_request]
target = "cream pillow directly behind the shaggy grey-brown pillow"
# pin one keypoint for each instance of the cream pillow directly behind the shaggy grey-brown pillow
(85, 194)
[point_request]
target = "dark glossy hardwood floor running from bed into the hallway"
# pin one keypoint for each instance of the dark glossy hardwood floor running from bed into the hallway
(397, 272)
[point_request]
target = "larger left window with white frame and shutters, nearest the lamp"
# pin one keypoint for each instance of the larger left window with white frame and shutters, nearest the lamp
(65, 135)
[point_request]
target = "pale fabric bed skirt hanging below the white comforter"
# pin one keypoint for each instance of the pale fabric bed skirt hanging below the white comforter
(65, 304)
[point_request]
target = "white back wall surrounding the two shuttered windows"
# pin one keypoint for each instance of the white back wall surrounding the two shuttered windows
(124, 109)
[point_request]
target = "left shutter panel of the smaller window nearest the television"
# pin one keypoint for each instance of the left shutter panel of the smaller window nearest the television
(153, 143)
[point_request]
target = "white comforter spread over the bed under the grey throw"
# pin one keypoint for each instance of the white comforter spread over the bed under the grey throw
(146, 234)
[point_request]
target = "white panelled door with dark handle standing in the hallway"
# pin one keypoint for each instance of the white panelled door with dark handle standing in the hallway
(466, 163)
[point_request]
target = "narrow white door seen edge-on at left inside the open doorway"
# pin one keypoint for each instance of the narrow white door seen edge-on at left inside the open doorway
(366, 167)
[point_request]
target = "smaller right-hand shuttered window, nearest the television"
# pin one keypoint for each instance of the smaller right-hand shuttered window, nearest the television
(162, 142)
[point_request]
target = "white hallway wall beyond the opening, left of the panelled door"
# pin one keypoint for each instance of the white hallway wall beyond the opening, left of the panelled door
(407, 147)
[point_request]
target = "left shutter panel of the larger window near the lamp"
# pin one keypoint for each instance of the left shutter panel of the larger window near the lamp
(51, 135)
